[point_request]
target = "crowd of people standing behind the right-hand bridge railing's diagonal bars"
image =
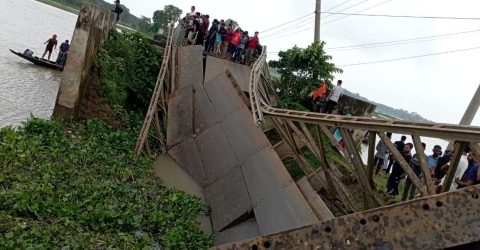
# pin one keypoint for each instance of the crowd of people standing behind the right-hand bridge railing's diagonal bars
(466, 174)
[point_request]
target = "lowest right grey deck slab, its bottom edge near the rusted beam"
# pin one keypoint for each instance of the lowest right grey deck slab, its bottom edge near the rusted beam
(284, 210)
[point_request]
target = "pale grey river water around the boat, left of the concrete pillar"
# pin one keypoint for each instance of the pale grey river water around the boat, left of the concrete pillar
(27, 89)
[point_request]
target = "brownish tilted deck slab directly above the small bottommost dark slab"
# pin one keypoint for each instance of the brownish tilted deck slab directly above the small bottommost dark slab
(228, 198)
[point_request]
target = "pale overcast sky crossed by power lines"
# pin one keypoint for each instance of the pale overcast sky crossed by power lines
(437, 87)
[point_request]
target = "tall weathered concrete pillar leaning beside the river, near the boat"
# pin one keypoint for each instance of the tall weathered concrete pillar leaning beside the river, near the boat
(91, 30)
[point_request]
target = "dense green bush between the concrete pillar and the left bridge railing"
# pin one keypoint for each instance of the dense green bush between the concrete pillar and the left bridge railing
(128, 67)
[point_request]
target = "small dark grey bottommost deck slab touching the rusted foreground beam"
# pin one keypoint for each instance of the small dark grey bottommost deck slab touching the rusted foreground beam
(245, 230)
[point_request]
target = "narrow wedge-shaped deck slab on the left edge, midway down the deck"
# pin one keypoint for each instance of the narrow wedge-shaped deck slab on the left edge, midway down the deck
(187, 156)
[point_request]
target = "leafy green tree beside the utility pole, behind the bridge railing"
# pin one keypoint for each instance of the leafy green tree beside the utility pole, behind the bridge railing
(301, 71)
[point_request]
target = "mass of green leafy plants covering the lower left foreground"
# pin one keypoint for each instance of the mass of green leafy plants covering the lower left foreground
(80, 186)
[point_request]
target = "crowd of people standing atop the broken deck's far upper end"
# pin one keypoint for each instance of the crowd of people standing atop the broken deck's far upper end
(220, 38)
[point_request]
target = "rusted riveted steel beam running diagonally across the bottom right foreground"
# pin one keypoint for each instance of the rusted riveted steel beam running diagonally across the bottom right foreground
(434, 222)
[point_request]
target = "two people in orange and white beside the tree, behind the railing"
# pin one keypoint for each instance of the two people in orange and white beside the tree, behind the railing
(324, 101)
